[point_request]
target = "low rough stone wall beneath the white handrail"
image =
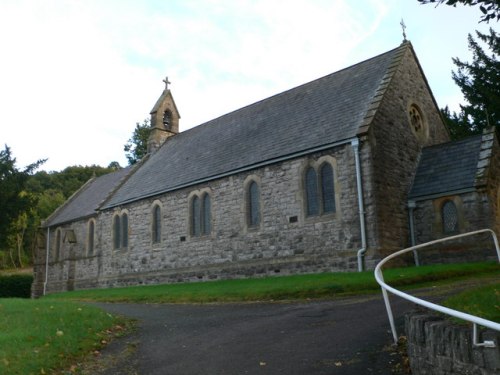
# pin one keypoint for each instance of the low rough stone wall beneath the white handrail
(438, 347)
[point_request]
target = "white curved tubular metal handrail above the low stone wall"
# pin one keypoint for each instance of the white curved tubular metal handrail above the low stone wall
(457, 314)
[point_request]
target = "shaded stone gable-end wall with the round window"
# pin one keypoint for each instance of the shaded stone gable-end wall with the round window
(396, 149)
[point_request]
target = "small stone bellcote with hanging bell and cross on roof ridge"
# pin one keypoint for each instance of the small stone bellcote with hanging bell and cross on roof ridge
(164, 119)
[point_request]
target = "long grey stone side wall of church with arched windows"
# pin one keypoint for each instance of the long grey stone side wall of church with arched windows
(287, 241)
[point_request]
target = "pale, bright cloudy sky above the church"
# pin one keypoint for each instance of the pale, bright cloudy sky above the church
(77, 75)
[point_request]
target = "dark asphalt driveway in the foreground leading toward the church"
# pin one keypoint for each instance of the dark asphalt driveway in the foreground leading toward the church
(345, 337)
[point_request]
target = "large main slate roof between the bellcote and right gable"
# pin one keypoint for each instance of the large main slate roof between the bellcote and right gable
(317, 114)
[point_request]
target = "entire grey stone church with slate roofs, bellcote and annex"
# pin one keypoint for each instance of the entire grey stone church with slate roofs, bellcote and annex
(328, 176)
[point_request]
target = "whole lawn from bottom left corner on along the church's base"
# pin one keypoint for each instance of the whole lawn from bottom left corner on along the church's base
(52, 333)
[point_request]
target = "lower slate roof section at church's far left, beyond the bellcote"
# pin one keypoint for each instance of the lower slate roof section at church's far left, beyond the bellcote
(87, 199)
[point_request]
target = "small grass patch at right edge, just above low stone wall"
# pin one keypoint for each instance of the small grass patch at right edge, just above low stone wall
(483, 302)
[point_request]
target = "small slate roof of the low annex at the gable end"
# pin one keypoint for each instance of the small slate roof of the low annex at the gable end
(446, 168)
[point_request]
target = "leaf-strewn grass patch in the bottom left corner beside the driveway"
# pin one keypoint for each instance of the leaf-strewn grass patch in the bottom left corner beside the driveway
(42, 336)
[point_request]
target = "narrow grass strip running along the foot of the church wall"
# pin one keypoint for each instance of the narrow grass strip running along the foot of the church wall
(326, 285)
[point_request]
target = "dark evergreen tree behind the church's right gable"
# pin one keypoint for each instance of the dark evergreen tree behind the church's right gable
(480, 86)
